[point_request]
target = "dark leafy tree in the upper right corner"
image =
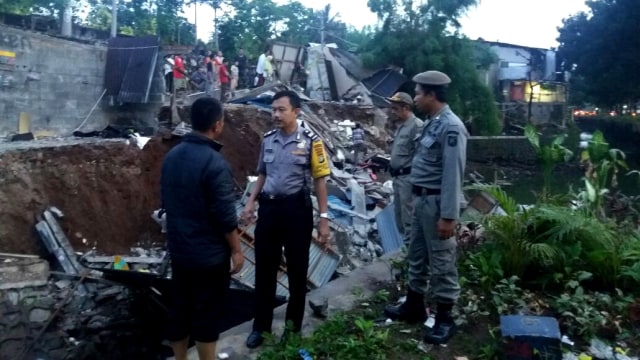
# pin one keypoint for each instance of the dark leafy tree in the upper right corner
(602, 51)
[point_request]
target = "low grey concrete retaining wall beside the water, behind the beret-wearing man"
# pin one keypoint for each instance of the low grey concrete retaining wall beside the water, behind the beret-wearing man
(501, 148)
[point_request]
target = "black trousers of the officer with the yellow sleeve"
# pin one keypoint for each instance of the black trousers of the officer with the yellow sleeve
(284, 222)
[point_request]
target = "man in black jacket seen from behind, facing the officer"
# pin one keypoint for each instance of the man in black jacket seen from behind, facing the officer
(197, 194)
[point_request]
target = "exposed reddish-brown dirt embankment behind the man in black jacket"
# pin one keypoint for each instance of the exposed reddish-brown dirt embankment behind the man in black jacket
(107, 190)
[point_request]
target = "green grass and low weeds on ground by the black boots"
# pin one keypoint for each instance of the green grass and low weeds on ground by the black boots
(363, 334)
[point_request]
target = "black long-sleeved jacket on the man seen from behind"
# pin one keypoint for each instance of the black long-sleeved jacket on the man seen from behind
(198, 196)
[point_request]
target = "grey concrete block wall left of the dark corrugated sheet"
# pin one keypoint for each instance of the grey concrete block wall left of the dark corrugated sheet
(53, 82)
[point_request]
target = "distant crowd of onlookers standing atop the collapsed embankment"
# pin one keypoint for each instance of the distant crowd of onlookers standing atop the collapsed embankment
(213, 72)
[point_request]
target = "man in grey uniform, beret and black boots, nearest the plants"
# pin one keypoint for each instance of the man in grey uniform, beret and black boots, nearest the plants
(437, 173)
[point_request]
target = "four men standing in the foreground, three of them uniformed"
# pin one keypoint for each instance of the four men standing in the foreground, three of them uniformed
(197, 188)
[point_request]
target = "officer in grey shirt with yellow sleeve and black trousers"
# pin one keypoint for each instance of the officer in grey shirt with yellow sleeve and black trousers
(289, 157)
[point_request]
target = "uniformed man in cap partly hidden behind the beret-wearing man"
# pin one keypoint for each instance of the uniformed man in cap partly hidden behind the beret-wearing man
(402, 150)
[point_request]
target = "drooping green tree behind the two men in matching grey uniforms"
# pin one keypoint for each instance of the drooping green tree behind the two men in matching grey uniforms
(419, 37)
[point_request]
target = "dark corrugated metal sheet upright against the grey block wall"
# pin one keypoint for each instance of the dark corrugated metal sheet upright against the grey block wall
(131, 63)
